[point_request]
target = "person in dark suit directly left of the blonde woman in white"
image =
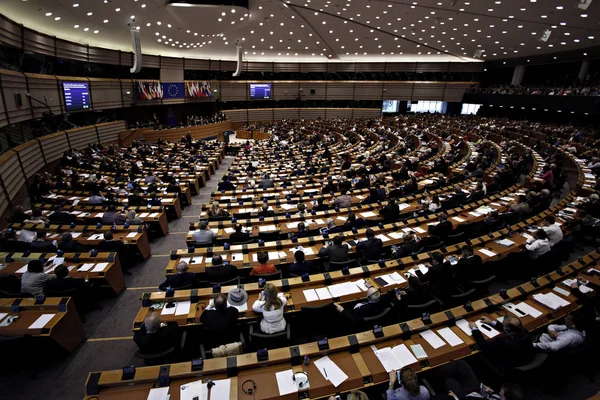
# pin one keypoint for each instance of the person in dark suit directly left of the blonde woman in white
(219, 322)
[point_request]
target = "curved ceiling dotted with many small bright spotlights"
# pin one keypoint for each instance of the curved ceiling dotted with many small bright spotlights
(318, 30)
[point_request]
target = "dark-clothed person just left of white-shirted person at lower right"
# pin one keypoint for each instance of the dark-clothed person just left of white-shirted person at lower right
(511, 350)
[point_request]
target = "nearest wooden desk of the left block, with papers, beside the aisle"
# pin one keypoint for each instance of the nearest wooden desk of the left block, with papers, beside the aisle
(64, 328)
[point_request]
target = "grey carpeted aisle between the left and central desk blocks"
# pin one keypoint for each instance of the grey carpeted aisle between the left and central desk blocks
(108, 332)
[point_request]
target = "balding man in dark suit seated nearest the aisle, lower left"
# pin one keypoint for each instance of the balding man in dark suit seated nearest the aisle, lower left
(154, 337)
